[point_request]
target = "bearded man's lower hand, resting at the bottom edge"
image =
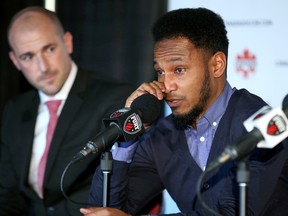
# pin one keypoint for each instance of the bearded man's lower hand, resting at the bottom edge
(102, 212)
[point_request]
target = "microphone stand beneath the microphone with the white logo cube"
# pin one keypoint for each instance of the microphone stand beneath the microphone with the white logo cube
(243, 178)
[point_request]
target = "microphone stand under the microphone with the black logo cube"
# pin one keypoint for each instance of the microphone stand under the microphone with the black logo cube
(106, 167)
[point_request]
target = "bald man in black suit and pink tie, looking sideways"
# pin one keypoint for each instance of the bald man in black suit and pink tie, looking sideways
(41, 50)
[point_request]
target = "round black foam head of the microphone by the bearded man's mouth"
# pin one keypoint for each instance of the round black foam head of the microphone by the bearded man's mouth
(148, 106)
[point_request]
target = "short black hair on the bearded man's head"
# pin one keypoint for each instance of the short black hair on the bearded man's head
(204, 28)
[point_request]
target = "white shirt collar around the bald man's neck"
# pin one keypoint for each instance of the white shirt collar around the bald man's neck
(64, 91)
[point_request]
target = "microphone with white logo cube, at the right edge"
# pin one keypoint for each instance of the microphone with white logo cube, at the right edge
(267, 128)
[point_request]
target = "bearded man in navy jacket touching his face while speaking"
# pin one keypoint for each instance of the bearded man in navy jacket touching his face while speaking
(190, 58)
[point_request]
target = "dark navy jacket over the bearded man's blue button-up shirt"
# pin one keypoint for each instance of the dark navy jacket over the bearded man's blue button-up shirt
(163, 160)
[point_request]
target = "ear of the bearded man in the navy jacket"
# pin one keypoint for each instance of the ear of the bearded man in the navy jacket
(219, 64)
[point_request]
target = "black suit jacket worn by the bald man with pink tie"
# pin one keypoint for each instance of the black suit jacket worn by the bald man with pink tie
(89, 100)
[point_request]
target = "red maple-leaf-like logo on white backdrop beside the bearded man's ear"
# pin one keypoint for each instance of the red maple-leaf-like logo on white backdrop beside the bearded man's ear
(246, 63)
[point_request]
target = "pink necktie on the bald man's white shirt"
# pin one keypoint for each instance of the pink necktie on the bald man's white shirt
(52, 107)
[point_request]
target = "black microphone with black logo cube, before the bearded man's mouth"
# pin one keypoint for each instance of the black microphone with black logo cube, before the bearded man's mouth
(123, 125)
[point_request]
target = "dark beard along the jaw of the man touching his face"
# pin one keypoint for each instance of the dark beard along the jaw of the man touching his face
(183, 121)
